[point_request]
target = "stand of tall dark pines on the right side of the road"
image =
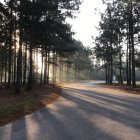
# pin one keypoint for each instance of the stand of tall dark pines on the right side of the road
(118, 45)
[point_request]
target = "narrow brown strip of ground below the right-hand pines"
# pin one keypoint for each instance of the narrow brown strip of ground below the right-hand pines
(123, 87)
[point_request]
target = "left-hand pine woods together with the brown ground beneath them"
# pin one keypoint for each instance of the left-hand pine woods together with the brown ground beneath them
(37, 50)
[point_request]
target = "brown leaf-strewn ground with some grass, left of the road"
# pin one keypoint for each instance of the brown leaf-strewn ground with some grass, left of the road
(13, 106)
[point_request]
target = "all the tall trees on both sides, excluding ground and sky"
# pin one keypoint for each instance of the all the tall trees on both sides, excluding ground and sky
(37, 44)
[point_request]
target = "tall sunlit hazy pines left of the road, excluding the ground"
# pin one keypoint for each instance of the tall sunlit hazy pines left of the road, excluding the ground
(37, 44)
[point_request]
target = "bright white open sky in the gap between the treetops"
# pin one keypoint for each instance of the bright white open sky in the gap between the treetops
(87, 20)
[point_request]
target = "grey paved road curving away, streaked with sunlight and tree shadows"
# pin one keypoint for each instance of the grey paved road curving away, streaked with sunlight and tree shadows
(85, 112)
